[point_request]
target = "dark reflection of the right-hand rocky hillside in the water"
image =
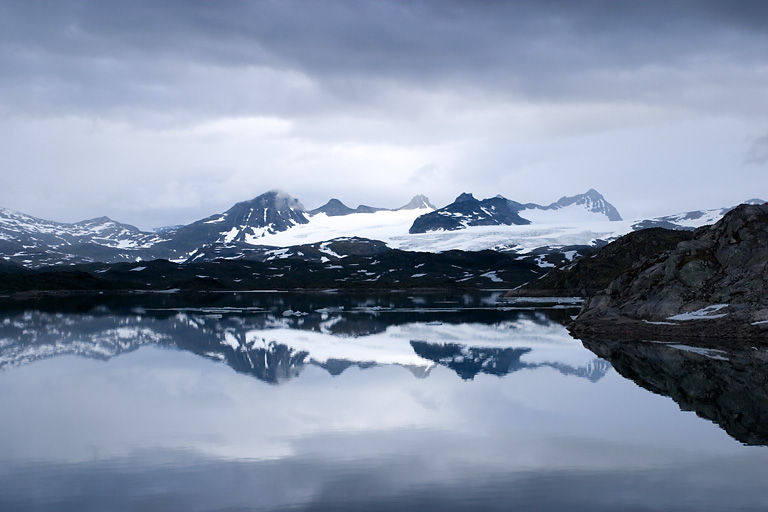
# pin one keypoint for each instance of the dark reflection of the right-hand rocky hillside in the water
(728, 386)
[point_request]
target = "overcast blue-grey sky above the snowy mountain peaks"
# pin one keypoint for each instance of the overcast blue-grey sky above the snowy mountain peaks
(161, 113)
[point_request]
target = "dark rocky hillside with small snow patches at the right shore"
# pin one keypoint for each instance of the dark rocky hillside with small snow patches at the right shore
(716, 283)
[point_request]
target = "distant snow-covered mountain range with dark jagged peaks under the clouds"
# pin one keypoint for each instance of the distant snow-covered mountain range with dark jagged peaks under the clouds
(275, 225)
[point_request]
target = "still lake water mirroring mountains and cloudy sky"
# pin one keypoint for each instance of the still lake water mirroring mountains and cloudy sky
(345, 402)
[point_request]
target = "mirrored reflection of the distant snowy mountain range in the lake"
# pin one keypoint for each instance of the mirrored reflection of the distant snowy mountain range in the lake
(275, 338)
